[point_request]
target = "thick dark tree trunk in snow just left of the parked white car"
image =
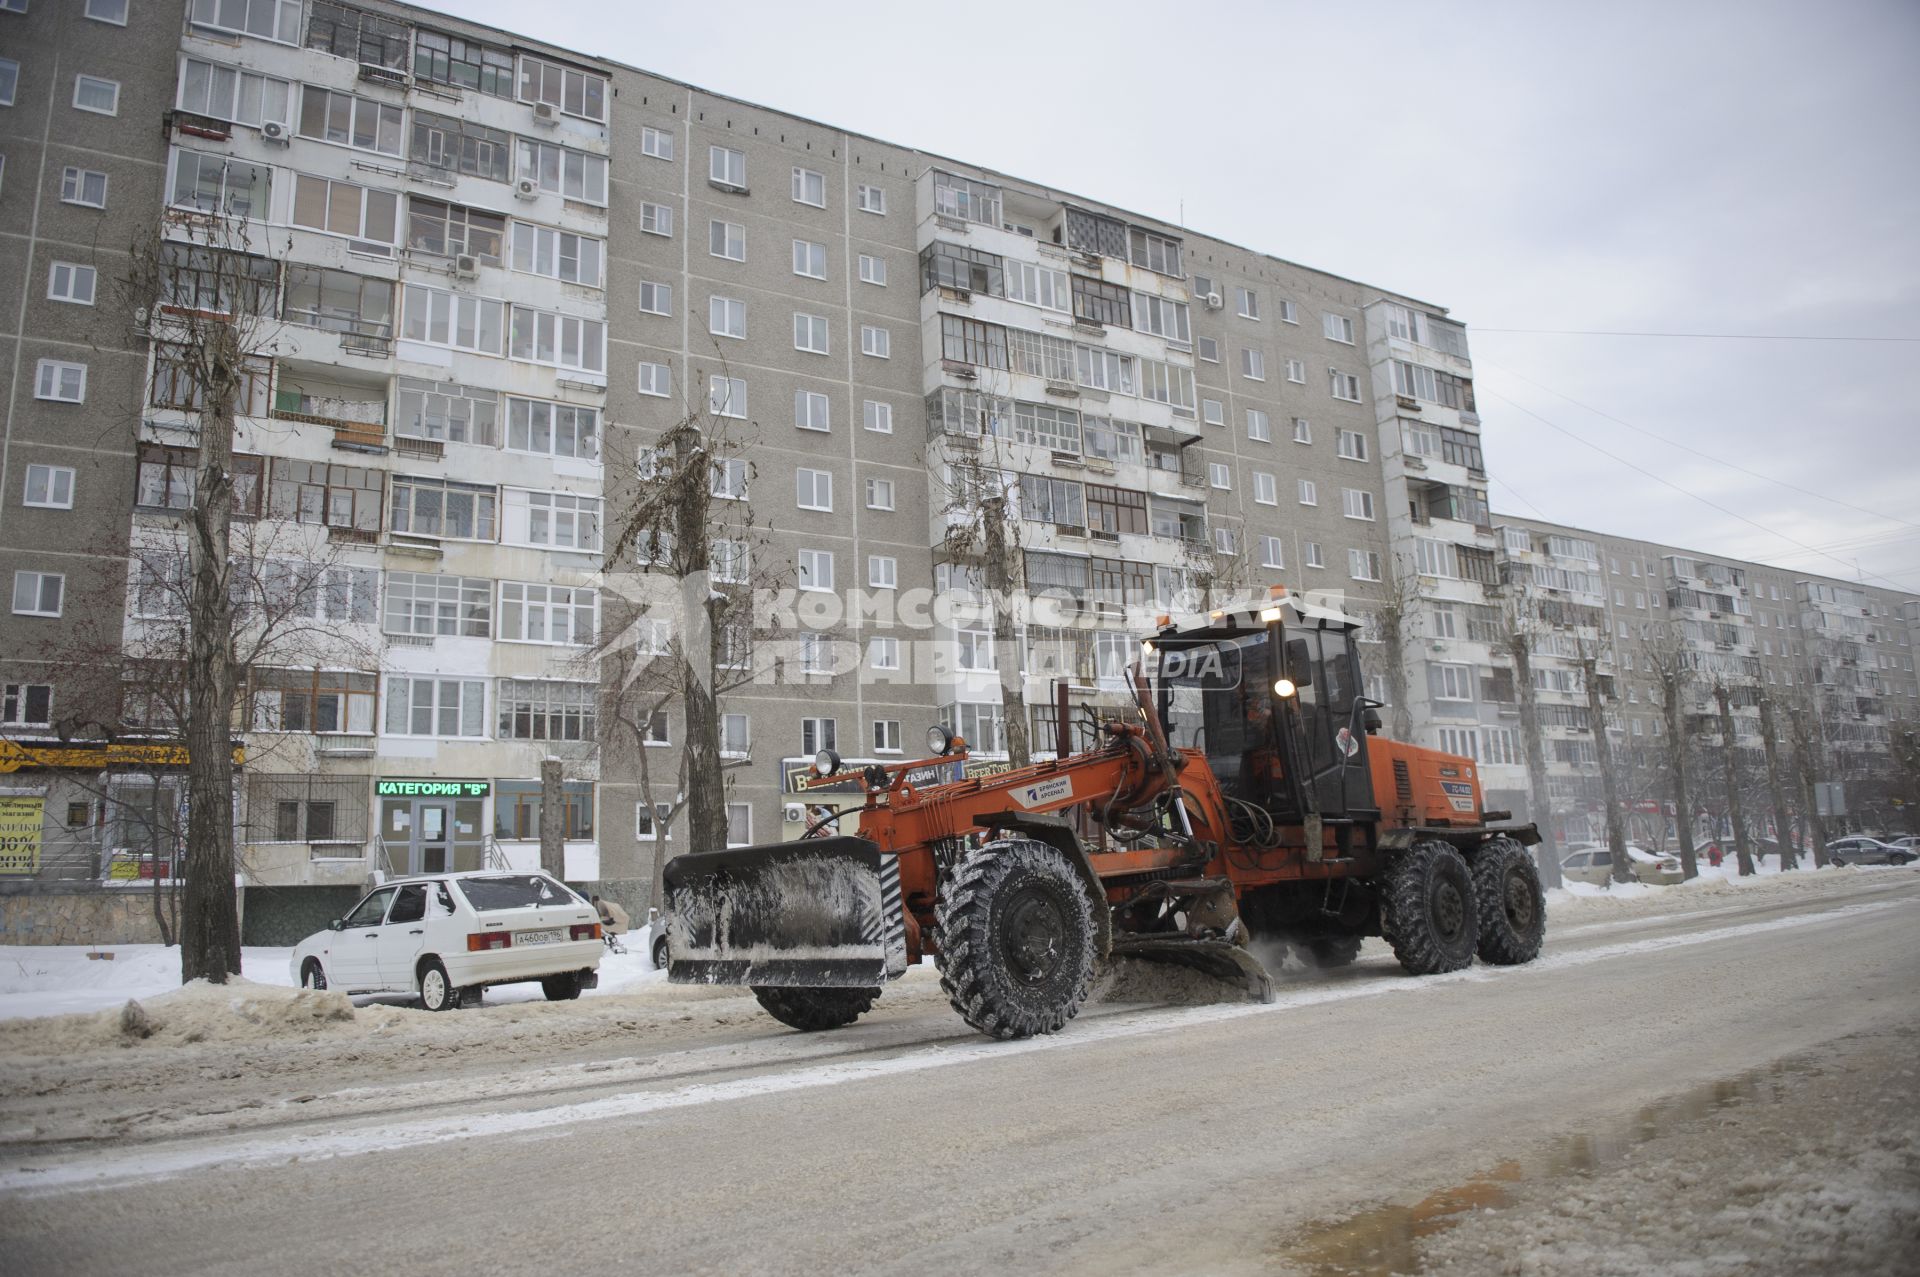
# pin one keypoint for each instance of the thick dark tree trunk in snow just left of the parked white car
(210, 923)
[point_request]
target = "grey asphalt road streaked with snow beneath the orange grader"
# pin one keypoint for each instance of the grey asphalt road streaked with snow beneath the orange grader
(1145, 1138)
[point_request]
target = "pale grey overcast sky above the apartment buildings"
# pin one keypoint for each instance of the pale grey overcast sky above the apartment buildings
(1717, 168)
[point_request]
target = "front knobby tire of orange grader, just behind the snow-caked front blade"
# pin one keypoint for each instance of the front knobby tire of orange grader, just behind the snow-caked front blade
(1017, 940)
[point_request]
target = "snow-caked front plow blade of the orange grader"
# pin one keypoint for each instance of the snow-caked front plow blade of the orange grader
(811, 915)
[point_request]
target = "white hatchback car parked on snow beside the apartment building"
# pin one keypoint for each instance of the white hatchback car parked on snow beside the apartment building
(443, 938)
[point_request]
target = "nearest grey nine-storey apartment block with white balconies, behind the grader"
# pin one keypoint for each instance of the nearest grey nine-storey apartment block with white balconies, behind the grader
(498, 274)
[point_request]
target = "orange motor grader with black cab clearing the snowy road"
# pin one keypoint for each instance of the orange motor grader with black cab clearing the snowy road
(1245, 798)
